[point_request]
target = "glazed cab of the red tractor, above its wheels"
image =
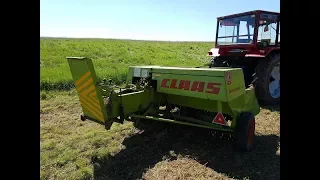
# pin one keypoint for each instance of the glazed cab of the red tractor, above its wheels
(247, 33)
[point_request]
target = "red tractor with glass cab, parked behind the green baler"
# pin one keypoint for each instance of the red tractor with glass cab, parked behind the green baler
(251, 41)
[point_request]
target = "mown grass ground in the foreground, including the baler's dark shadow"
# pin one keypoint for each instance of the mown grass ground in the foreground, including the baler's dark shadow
(72, 149)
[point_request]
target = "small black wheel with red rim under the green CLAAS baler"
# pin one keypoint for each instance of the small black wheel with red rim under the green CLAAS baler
(245, 132)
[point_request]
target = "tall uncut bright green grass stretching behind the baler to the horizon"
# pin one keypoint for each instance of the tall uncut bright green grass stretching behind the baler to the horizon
(111, 58)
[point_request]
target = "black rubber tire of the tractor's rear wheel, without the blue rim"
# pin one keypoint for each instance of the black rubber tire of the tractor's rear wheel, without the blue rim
(263, 71)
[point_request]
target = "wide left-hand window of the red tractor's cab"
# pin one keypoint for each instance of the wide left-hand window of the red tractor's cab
(237, 30)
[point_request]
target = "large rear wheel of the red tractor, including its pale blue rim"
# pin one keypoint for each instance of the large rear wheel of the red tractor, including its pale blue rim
(268, 83)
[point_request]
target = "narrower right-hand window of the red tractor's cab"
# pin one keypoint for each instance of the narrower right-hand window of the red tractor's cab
(267, 28)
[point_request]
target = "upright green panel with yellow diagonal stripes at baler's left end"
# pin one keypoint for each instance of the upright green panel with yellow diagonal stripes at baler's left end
(85, 82)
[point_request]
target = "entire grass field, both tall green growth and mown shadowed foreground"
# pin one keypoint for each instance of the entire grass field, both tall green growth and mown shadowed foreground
(72, 149)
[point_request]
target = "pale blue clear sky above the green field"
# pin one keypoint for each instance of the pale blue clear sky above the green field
(164, 20)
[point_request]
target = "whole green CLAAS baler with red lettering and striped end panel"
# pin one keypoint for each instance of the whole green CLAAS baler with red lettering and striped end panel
(212, 98)
